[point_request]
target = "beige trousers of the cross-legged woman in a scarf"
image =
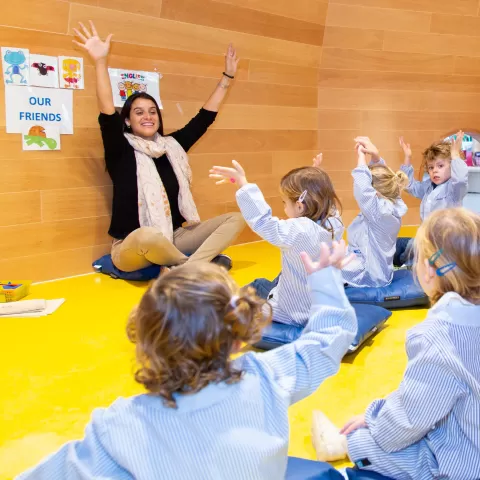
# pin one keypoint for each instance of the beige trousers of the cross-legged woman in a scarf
(204, 241)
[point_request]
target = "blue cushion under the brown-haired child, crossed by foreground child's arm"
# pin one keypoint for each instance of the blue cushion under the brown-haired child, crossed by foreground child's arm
(369, 318)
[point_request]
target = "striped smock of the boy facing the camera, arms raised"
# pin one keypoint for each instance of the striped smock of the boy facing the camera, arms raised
(448, 194)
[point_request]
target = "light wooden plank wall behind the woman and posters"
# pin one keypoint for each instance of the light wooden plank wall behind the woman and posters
(313, 75)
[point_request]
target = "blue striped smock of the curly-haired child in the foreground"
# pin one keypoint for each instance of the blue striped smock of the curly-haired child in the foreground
(233, 432)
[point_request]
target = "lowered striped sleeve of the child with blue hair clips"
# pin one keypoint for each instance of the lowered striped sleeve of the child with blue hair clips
(426, 395)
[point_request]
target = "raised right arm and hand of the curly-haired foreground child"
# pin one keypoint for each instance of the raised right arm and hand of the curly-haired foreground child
(300, 367)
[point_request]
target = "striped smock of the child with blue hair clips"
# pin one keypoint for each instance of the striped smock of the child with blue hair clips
(430, 427)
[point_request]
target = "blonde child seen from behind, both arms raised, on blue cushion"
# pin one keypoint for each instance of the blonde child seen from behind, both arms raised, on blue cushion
(372, 235)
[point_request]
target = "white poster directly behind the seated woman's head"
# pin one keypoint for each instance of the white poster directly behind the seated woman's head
(127, 82)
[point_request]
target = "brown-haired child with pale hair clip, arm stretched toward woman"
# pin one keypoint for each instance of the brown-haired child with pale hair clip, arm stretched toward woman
(309, 199)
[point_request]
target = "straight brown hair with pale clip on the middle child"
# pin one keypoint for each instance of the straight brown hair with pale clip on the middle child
(320, 202)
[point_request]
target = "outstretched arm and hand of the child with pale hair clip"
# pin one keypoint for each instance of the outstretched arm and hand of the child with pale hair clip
(255, 210)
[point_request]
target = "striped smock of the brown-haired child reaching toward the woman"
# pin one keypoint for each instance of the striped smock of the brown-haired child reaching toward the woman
(290, 299)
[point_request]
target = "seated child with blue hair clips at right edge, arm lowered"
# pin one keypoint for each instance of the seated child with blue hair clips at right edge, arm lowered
(429, 427)
